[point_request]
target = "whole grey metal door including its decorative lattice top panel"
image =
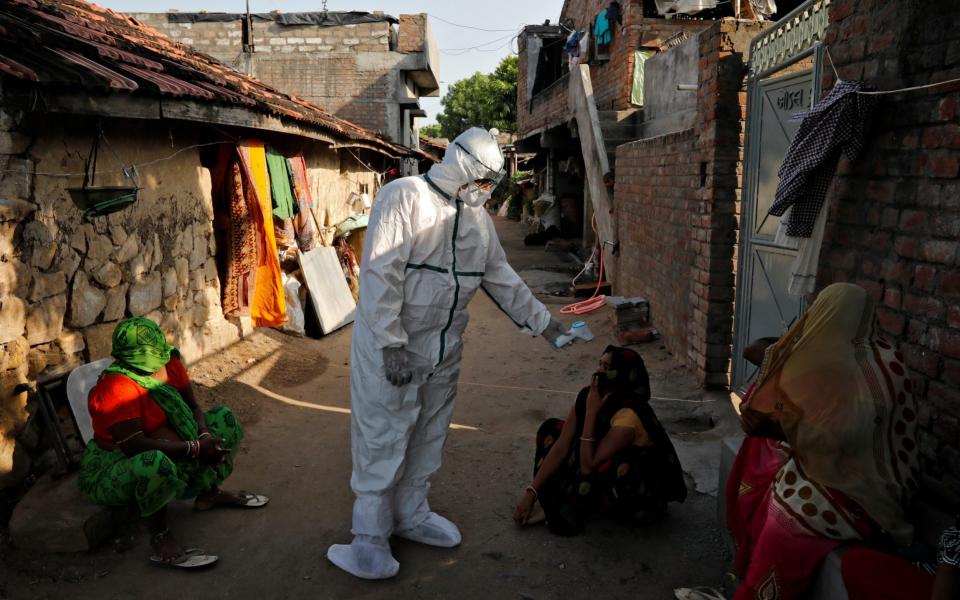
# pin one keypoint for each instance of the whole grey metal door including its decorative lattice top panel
(774, 99)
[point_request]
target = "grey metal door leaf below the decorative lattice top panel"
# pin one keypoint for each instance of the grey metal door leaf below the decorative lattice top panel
(764, 308)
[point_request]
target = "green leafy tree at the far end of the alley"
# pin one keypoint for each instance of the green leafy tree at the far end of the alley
(481, 100)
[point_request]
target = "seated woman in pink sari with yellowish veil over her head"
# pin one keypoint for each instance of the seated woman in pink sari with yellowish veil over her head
(830, 454)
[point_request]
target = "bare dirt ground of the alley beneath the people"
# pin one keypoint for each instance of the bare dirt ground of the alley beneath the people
(293, 396)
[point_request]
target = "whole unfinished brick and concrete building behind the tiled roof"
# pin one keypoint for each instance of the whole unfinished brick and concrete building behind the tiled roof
(369, 68)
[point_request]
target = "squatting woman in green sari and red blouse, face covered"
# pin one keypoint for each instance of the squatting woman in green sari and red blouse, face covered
(152, 443)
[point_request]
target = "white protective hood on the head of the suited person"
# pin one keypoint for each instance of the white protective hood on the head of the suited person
(474, 154)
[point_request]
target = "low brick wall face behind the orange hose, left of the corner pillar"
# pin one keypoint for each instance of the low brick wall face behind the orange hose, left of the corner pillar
(656, 197)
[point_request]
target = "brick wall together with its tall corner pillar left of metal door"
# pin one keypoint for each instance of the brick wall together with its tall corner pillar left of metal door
(700, 208)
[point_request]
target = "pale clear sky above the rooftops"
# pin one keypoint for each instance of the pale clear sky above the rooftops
(486, 48)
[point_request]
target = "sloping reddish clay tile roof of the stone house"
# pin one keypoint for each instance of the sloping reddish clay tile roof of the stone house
(68, 43)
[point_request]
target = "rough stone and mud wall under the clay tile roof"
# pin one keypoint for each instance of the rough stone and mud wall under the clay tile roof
(65, 282)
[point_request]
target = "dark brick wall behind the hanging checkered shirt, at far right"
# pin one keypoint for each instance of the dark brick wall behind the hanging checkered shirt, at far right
(895, 216)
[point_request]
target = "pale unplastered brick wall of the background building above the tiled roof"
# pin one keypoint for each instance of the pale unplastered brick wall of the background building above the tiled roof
(350, 71)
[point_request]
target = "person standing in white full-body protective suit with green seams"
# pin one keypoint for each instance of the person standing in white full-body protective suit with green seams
(430, 246)
